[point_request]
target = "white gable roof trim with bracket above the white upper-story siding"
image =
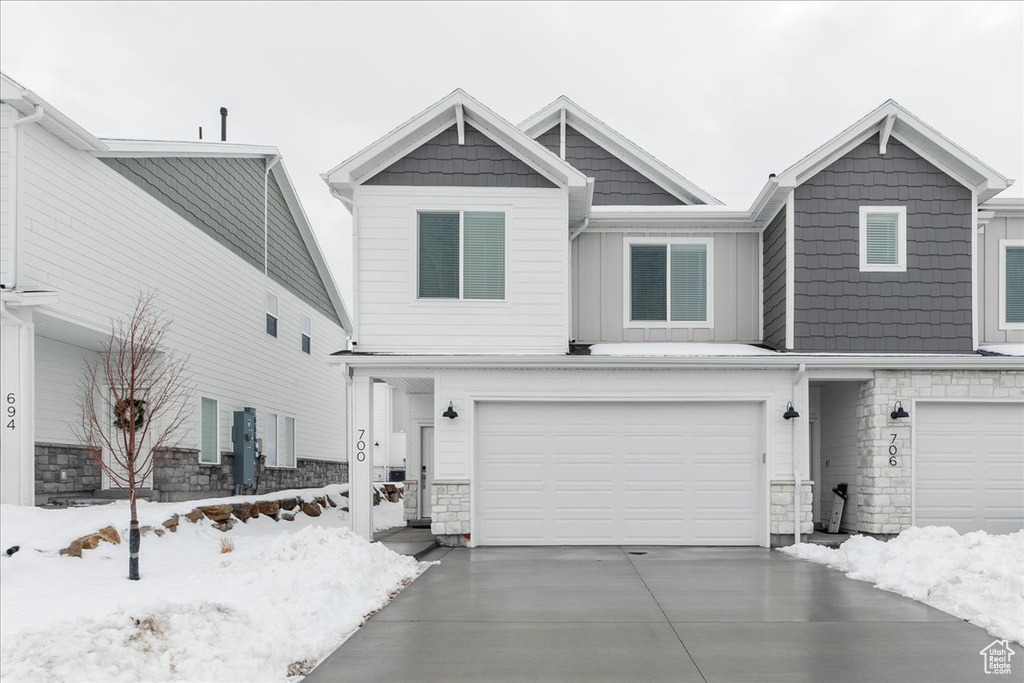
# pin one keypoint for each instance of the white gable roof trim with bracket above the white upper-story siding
(458, 109)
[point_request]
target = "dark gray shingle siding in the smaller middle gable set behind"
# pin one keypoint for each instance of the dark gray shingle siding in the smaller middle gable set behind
(616, 183)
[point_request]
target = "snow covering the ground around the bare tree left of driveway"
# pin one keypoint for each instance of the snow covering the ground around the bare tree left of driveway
(289, 592)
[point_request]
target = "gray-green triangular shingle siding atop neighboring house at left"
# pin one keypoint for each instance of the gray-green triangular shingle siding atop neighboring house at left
(225, 199)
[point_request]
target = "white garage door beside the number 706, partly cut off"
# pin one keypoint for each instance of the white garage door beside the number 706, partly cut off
(970, 466)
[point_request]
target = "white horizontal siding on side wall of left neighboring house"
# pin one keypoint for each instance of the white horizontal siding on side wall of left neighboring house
(98, 239)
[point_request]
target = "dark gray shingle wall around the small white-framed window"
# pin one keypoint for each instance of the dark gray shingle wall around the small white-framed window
(840, 309)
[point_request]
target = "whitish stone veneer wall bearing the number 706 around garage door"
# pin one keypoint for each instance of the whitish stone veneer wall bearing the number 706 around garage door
(883, 490)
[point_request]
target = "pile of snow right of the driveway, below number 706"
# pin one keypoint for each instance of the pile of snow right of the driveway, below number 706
(976, 577)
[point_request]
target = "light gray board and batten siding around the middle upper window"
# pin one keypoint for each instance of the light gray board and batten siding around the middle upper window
(600, 294)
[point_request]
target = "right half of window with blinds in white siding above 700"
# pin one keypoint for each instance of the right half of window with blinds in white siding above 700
(484, 251)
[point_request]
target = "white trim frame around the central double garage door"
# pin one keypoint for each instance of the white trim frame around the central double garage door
(475, 402)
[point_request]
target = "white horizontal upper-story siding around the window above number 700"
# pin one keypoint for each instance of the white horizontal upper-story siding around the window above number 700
(534, 317)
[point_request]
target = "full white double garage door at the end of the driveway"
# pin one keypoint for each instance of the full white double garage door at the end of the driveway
(601, 474)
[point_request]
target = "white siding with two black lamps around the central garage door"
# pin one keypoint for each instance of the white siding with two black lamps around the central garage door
(454, 440)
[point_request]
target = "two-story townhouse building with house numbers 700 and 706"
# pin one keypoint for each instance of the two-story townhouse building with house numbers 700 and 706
(585, 348)
